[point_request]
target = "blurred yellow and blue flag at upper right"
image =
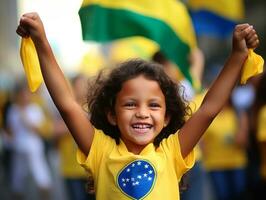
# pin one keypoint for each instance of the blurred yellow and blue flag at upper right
(216, 18)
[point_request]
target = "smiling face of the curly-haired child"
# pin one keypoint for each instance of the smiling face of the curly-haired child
(140, 112)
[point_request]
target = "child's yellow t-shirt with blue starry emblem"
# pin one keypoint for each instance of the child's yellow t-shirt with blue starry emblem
(119, 174)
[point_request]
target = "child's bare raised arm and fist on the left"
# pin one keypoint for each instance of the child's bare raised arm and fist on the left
(59, 89)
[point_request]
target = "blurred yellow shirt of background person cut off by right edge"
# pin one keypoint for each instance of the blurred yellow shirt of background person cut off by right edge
(261, 137)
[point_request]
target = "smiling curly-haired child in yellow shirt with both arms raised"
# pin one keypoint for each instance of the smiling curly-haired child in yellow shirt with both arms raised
(137, 144)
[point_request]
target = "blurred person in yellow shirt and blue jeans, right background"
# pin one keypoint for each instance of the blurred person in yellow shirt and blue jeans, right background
(224, 156)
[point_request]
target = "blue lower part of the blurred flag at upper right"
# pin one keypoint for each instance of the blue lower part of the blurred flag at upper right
(208, 23)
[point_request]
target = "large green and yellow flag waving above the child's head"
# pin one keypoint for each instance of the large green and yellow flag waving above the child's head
(166, 22)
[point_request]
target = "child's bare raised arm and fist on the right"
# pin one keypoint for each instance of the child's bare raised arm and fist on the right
(244, 37)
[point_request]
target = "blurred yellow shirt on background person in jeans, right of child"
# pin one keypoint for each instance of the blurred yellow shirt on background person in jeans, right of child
(219, 149)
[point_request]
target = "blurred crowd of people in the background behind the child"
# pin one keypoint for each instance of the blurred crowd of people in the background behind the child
(38, 154)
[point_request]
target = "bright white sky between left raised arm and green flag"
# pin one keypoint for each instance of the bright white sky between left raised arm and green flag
(62, 25)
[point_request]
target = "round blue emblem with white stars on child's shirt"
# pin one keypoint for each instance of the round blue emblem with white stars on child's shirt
(136, 180)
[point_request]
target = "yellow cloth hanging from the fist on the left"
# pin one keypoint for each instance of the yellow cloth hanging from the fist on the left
(31, 64)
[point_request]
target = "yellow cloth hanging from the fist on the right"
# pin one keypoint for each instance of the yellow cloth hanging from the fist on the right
(253, 66)
